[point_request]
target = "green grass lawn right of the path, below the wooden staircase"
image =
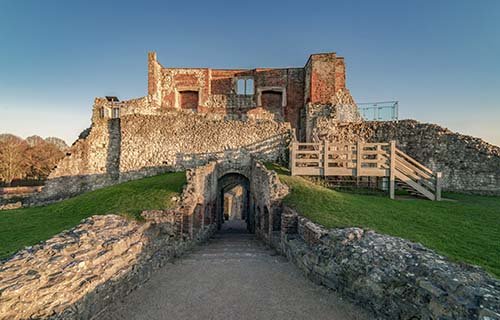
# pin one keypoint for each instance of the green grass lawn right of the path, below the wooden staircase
(465, 229)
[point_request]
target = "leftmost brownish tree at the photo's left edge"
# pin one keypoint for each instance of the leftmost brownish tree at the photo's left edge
(12, 159)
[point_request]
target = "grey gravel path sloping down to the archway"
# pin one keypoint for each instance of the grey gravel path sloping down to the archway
(233, 276)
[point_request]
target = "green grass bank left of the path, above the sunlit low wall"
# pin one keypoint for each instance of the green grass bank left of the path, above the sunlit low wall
(28, 226)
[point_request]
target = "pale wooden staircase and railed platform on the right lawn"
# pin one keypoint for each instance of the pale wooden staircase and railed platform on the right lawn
(366, 160)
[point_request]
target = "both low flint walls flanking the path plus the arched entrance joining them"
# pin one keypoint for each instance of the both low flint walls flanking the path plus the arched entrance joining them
(77, 273)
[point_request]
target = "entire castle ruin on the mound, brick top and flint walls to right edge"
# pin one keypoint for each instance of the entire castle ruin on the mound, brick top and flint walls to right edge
(191, 116)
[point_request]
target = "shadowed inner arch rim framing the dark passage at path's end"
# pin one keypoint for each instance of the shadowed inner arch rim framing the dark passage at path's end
(225, 184)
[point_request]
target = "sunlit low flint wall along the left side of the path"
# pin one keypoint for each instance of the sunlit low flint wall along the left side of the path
(77, 273)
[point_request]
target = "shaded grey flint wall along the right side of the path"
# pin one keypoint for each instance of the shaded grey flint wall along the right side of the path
(393, 277)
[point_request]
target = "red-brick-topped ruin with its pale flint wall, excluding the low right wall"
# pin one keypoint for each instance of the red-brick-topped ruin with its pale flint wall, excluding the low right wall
(191, 116)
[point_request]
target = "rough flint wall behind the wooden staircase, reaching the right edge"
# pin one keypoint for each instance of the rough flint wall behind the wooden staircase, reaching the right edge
(468, 164)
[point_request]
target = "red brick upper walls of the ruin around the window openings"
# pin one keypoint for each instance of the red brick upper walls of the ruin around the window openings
(317, 82)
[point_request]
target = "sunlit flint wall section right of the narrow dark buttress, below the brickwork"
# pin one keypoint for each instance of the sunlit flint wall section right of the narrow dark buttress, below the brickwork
(183, 140)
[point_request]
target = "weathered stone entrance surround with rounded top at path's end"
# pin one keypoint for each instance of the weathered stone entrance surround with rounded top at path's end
(265, 192)
